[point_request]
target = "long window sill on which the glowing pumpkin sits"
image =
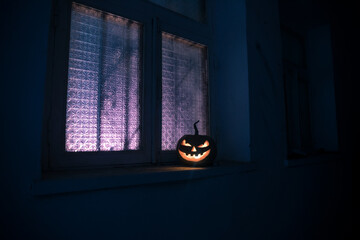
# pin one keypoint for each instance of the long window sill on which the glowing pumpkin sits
(90, 180)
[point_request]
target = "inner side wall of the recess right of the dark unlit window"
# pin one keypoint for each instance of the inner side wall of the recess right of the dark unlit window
(321, 74)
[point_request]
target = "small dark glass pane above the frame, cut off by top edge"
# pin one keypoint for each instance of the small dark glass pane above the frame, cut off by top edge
(194, 9)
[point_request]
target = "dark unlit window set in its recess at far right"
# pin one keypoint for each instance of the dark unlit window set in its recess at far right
(309, 92)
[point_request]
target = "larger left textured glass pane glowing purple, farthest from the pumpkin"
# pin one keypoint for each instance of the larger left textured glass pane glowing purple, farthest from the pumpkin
(104, 82)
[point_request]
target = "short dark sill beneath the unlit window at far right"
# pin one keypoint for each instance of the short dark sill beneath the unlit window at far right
(312, 159)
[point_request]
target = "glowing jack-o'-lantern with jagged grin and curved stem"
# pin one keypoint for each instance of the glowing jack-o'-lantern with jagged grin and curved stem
(196, 150)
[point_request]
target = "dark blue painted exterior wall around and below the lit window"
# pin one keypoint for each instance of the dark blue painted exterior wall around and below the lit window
(272, 202)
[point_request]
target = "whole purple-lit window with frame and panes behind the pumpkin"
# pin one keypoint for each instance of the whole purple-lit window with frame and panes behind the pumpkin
(124, 84)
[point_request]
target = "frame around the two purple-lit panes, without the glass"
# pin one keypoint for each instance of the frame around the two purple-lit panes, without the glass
(154, 20)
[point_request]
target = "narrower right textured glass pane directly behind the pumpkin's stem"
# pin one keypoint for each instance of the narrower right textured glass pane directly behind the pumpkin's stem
(184, 89)
